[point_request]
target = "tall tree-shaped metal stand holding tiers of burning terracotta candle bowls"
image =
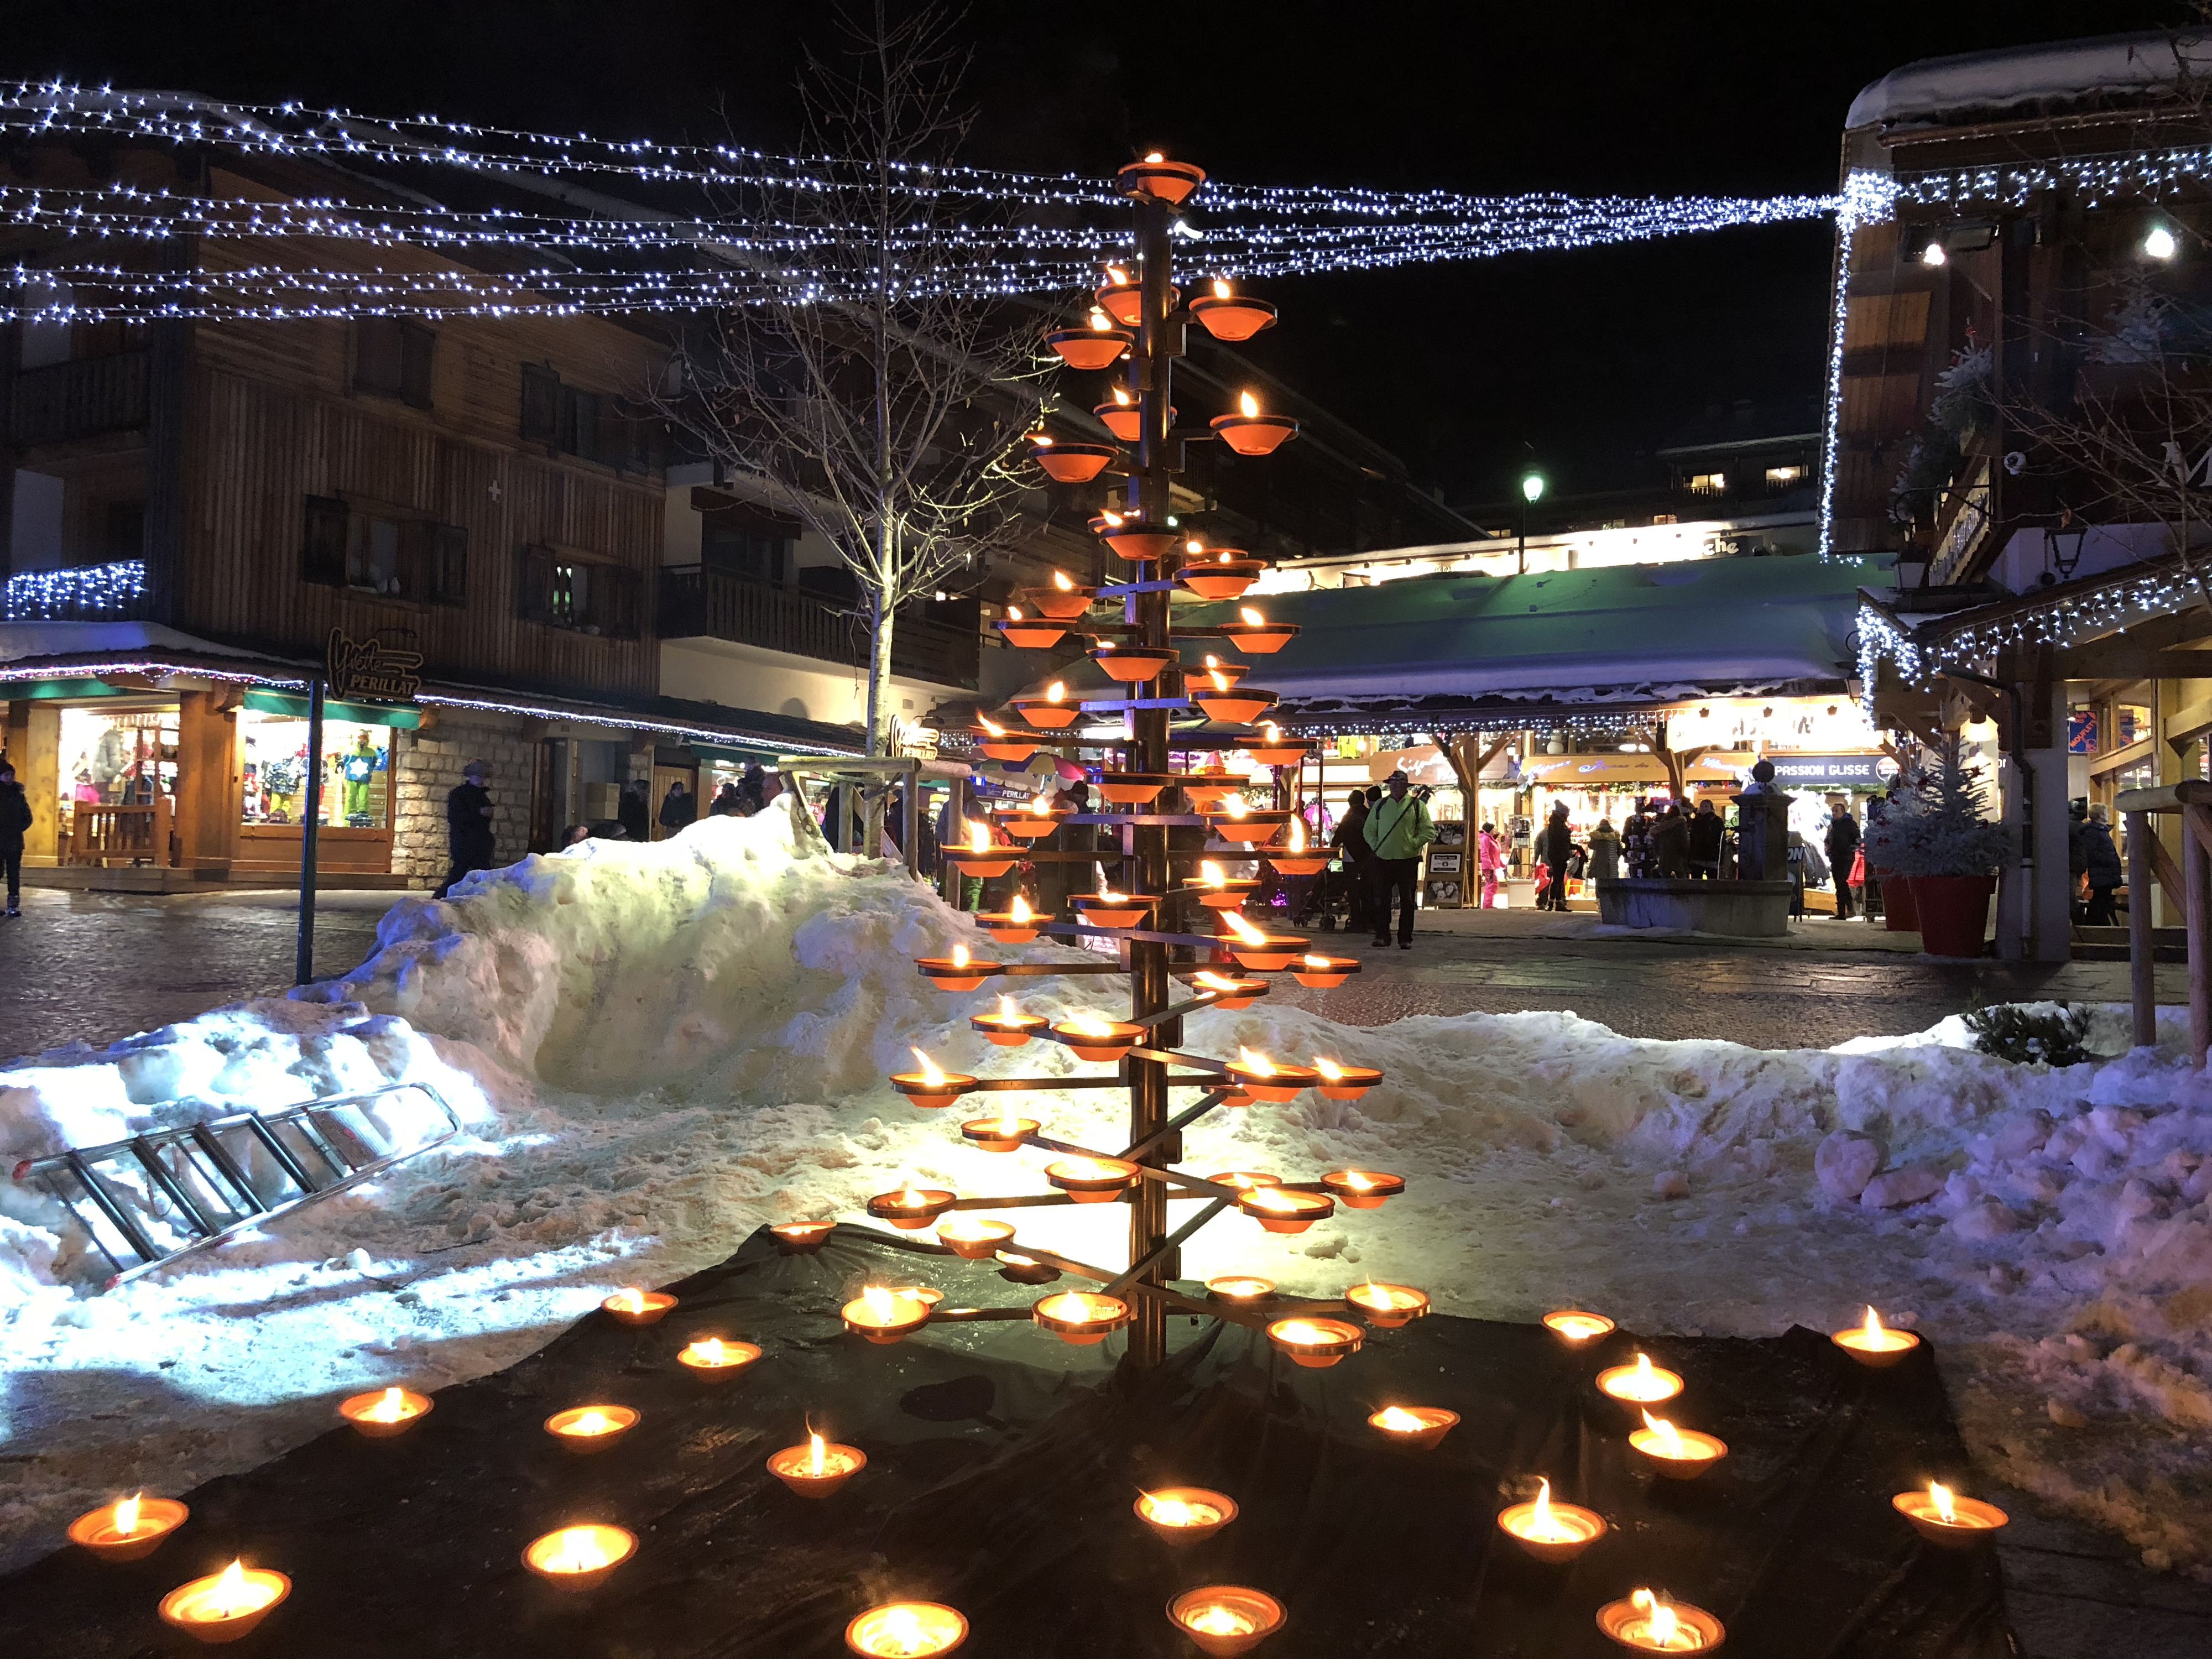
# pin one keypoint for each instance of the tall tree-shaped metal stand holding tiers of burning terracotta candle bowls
(1158, 901)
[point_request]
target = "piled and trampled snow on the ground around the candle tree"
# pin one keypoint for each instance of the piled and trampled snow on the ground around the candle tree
(660, 1047)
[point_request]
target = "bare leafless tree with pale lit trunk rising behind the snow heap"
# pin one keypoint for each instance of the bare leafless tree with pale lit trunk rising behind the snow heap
(886, 421)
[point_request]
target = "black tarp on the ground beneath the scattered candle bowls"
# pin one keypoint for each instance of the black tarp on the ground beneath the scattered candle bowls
(1001, 1479)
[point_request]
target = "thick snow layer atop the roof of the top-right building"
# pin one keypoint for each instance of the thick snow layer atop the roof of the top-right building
(2052, 74)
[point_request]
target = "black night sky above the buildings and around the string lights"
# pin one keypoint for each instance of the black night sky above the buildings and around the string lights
(1587, 355)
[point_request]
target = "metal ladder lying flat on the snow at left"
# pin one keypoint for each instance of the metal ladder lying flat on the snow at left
(178, 1191)
